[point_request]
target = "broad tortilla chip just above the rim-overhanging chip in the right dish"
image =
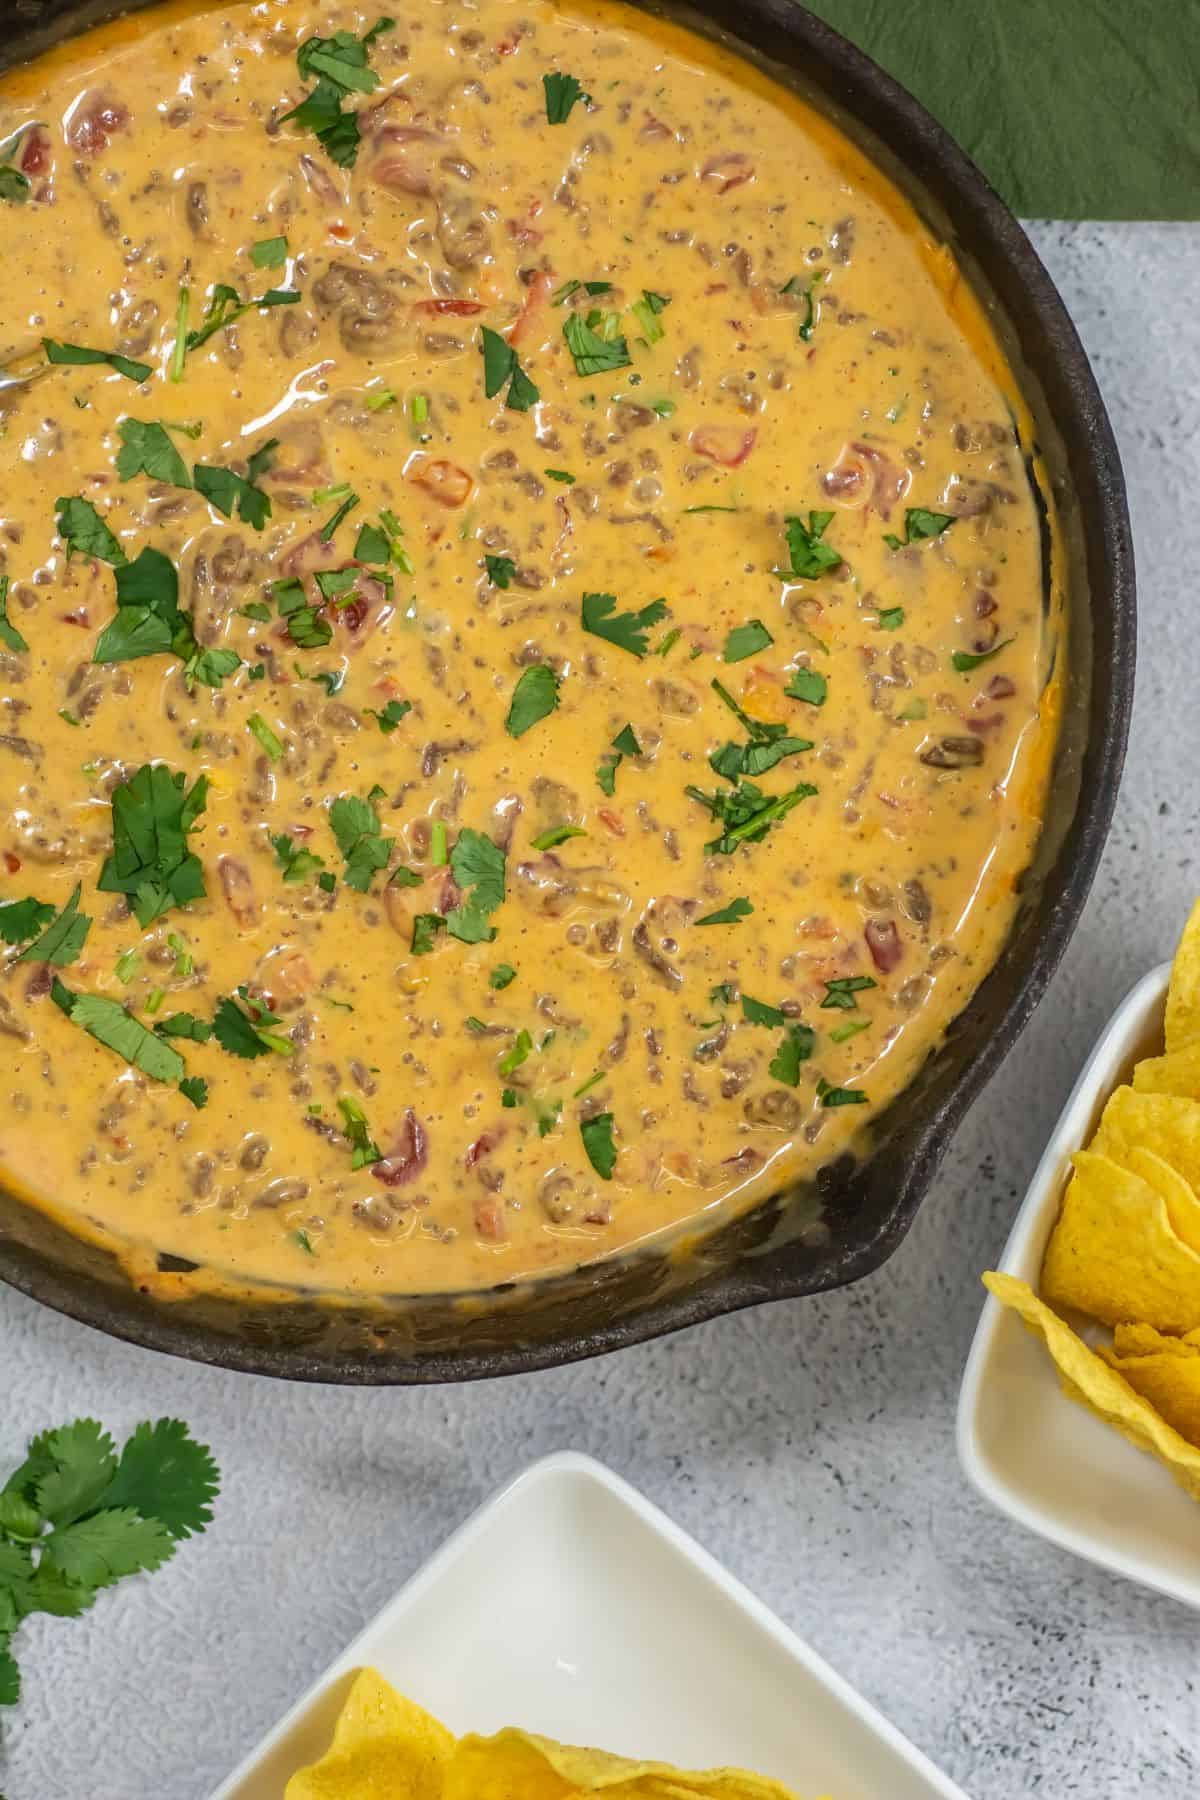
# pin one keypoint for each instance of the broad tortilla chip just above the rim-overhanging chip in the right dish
(1115, 1254)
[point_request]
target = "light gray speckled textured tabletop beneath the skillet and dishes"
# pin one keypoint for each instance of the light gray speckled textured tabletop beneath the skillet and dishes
(810, 1446)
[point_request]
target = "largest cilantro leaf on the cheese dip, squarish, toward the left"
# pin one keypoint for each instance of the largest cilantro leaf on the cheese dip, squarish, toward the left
(150, 861)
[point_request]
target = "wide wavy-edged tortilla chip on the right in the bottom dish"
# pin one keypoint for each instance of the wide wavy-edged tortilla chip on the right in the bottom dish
(523, 1767)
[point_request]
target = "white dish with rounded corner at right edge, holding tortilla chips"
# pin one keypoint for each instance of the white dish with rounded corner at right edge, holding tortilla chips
(1030, 1450)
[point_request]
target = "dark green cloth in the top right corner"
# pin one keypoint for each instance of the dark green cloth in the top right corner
(1073, 109)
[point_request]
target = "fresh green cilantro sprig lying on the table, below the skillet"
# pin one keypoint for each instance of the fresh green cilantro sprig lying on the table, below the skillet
(76, 1518)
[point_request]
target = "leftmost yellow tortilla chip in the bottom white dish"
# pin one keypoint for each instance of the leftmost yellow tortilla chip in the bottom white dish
(384, 1749)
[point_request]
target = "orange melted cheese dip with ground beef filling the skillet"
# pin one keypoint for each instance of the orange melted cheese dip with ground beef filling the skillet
(816, 352)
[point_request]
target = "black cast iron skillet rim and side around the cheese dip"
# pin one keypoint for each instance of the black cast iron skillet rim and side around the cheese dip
(855, 1216)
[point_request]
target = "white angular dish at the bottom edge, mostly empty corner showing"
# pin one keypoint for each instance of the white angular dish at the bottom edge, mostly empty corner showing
(573, 1606)
